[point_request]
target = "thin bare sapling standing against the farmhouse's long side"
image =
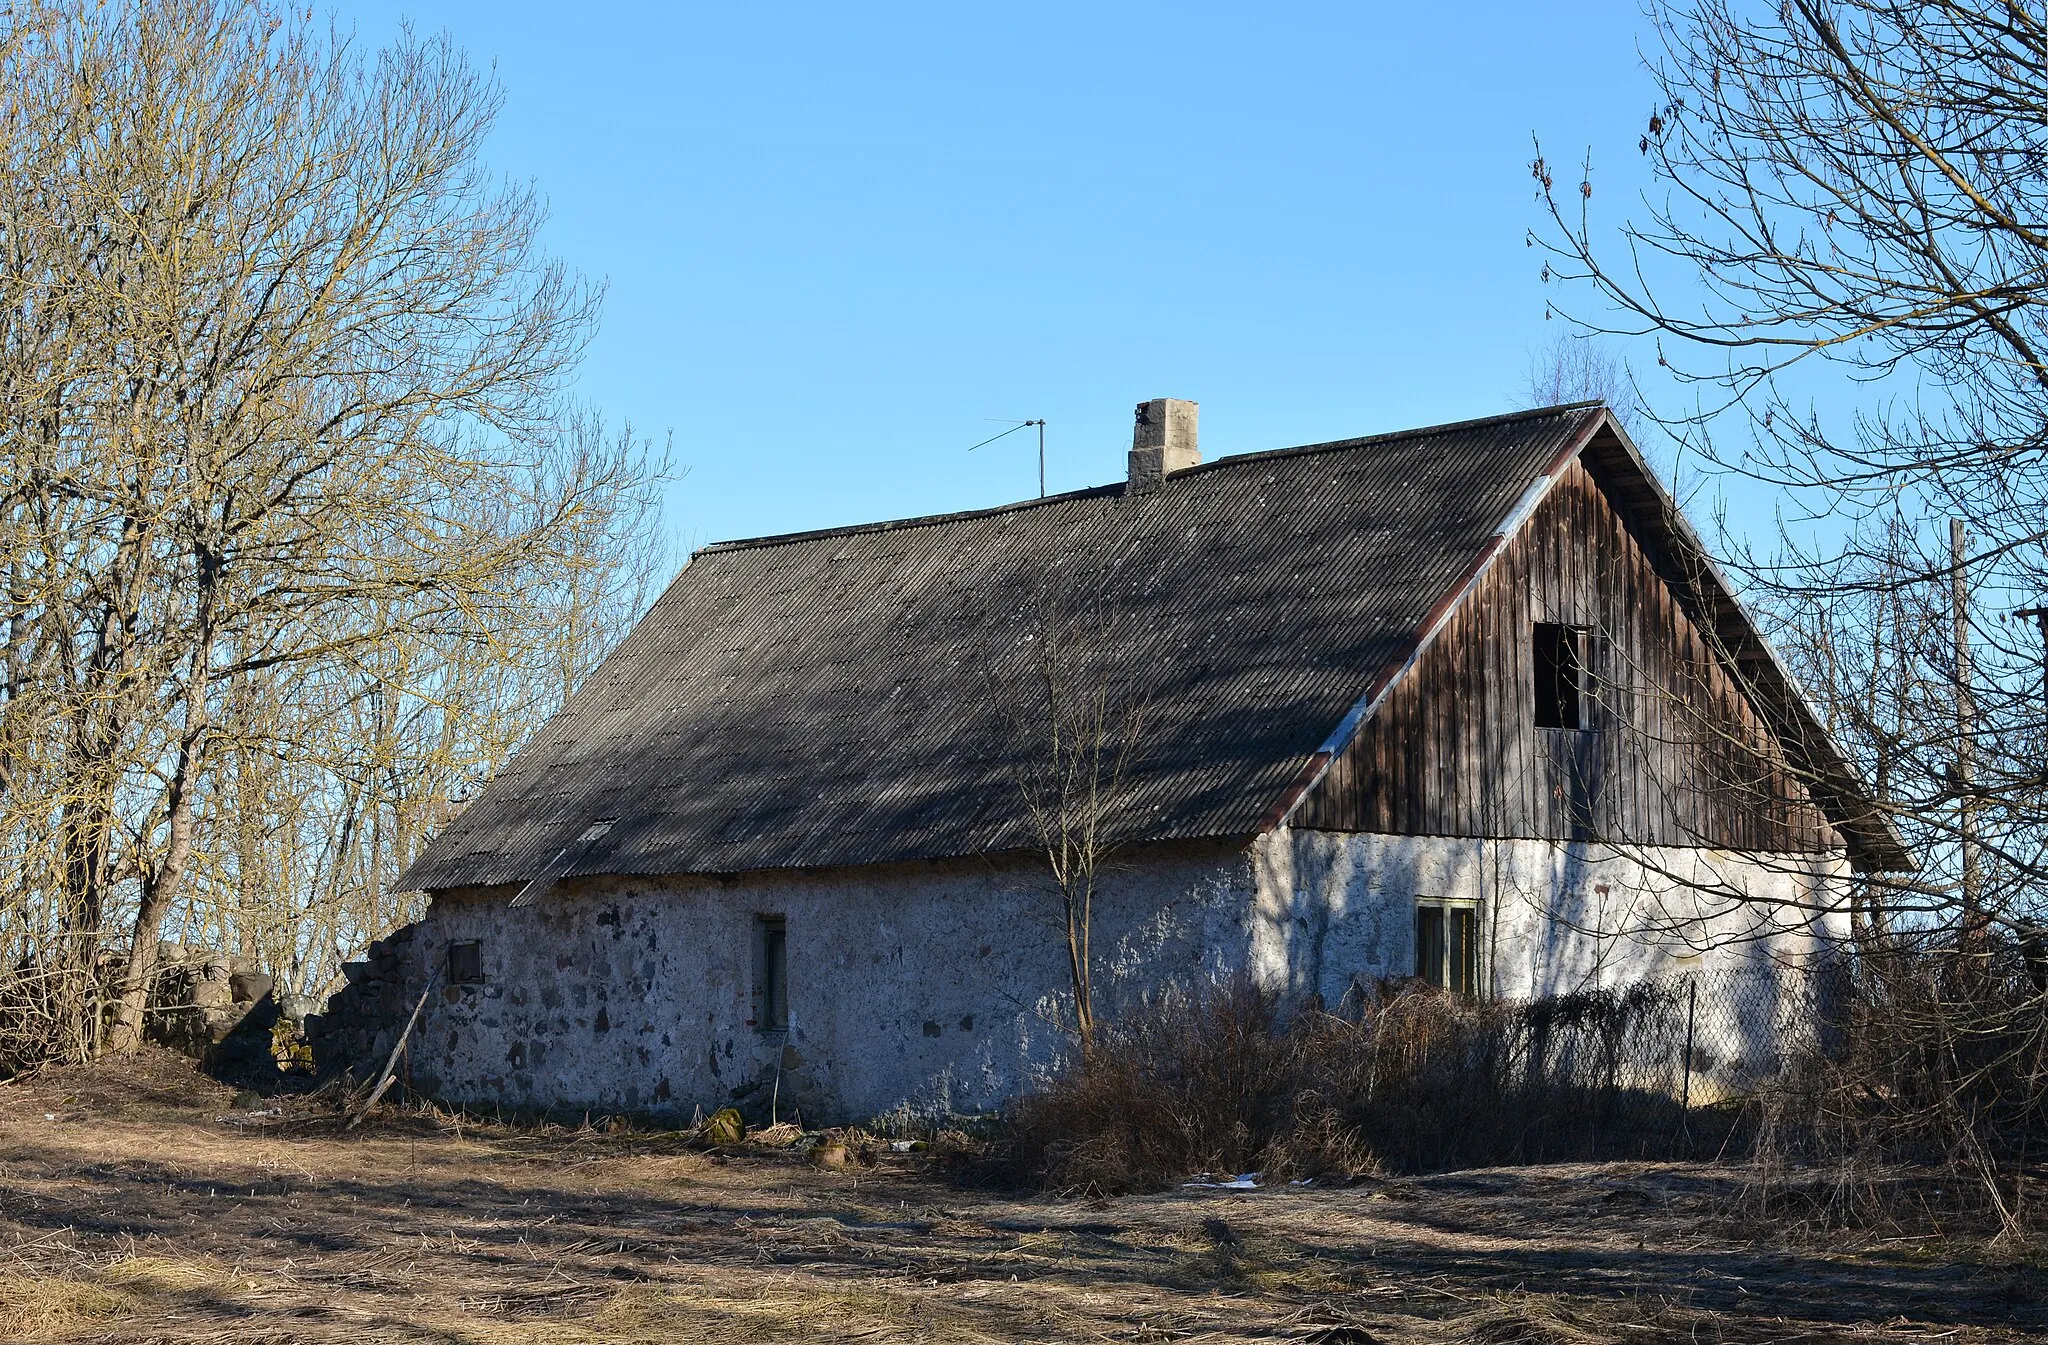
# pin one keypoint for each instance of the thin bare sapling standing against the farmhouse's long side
(1074, 718)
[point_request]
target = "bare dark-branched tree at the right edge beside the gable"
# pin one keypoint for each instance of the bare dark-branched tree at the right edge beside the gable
(1848, 202)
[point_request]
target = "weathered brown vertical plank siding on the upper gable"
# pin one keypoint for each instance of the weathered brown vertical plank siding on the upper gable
(1674, 756)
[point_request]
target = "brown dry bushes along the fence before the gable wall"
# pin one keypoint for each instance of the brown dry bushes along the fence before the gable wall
(1406, 1080)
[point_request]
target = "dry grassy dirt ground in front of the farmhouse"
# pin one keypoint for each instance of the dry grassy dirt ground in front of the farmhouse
(132, 1211)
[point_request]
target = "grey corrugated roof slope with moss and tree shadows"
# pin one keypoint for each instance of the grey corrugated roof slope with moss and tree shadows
(820, 699)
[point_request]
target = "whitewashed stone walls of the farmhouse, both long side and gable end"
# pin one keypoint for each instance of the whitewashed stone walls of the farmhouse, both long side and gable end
(941, 986)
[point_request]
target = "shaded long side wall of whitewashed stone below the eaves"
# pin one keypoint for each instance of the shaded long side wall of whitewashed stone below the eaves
(935, 986)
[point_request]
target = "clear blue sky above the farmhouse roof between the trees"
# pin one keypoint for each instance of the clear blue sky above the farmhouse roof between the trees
(841, 238)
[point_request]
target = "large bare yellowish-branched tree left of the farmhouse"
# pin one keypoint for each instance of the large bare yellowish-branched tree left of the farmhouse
(282, 386)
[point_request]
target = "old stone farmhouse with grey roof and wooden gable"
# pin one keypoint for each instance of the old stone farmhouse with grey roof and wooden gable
(1465, 703)
